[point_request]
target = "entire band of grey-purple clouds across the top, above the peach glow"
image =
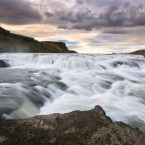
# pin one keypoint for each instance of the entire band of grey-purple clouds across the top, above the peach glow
(83, 15)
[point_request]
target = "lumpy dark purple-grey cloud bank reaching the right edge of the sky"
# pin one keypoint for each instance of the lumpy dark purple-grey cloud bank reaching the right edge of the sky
(128, 16)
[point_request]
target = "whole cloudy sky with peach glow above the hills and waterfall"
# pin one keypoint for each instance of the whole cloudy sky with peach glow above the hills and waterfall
(86, 26)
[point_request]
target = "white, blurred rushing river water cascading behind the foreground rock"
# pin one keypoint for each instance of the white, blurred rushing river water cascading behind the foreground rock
(59, 83)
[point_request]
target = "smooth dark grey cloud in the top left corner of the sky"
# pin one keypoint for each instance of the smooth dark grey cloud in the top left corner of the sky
(18, 12)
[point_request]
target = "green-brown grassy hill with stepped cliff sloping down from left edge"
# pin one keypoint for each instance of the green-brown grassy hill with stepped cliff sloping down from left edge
(14, 43)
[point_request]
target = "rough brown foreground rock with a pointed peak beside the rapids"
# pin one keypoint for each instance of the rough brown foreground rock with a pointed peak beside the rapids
(76, 128)
